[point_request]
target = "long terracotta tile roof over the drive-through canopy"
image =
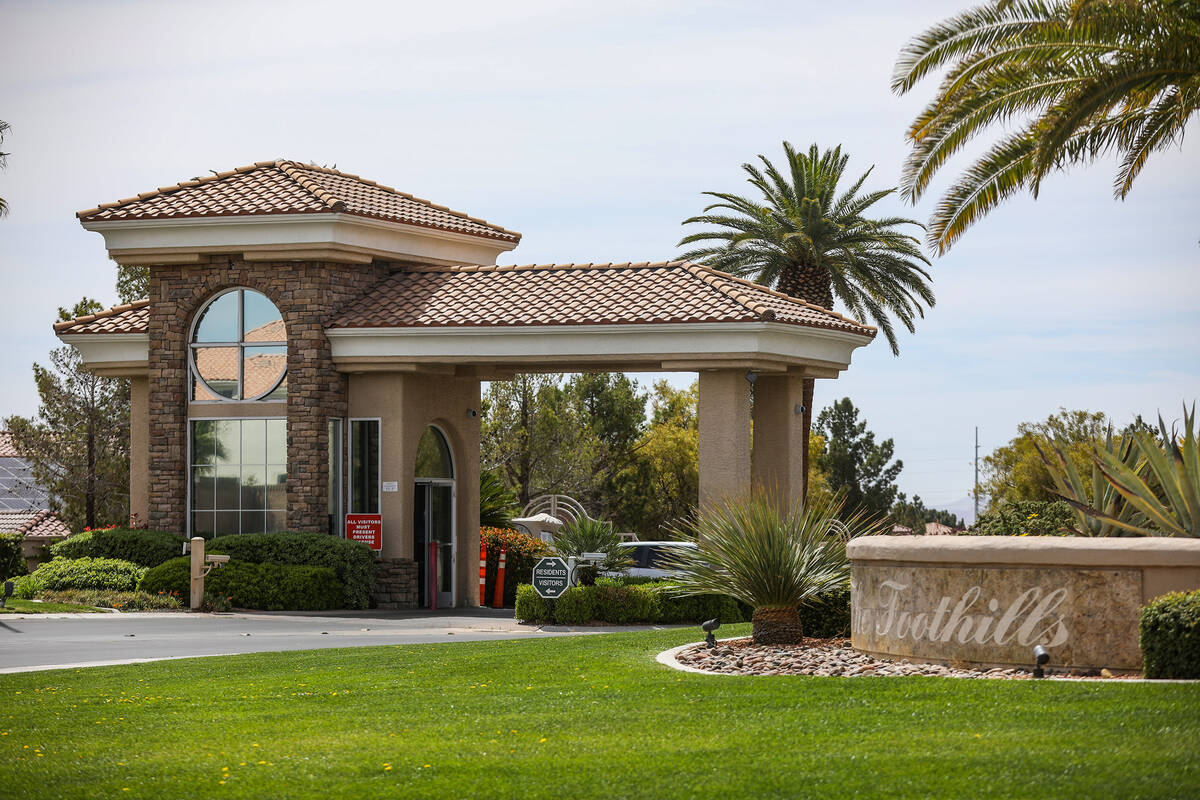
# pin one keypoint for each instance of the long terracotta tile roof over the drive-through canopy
(578, 294)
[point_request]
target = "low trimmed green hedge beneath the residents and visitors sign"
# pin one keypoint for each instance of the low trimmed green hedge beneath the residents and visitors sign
(609, 601)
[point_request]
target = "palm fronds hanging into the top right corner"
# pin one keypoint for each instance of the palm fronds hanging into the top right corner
(1076, 80)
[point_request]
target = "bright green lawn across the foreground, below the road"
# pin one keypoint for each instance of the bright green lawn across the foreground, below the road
(578, 718)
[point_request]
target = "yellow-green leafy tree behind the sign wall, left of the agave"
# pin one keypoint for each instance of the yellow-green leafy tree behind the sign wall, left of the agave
(1017, 471)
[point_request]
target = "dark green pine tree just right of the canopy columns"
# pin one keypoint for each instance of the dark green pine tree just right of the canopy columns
(856, 466)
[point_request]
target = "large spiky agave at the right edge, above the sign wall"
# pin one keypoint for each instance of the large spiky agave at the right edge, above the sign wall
(1166, 491)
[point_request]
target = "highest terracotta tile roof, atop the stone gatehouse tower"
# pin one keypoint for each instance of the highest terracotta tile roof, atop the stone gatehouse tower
(292, 188)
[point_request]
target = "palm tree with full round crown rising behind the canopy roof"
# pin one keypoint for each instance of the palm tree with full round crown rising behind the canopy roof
(808, 242)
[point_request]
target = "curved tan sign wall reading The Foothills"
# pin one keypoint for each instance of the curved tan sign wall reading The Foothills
(989, 600)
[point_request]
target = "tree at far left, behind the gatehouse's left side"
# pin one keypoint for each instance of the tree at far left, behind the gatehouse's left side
(79, 444)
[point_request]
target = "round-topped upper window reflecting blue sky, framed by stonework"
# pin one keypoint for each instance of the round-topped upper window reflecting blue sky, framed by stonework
(239, 350)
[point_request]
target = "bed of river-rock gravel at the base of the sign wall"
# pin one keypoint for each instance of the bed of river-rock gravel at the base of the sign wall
(831, 658)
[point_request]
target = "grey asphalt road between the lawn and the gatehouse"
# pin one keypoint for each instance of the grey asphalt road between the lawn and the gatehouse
(61, 641)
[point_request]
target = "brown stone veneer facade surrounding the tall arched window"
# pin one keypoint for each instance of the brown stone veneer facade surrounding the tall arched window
(308, 294)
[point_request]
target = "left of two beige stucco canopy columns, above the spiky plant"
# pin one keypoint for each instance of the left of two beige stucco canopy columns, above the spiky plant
(724, 418)
